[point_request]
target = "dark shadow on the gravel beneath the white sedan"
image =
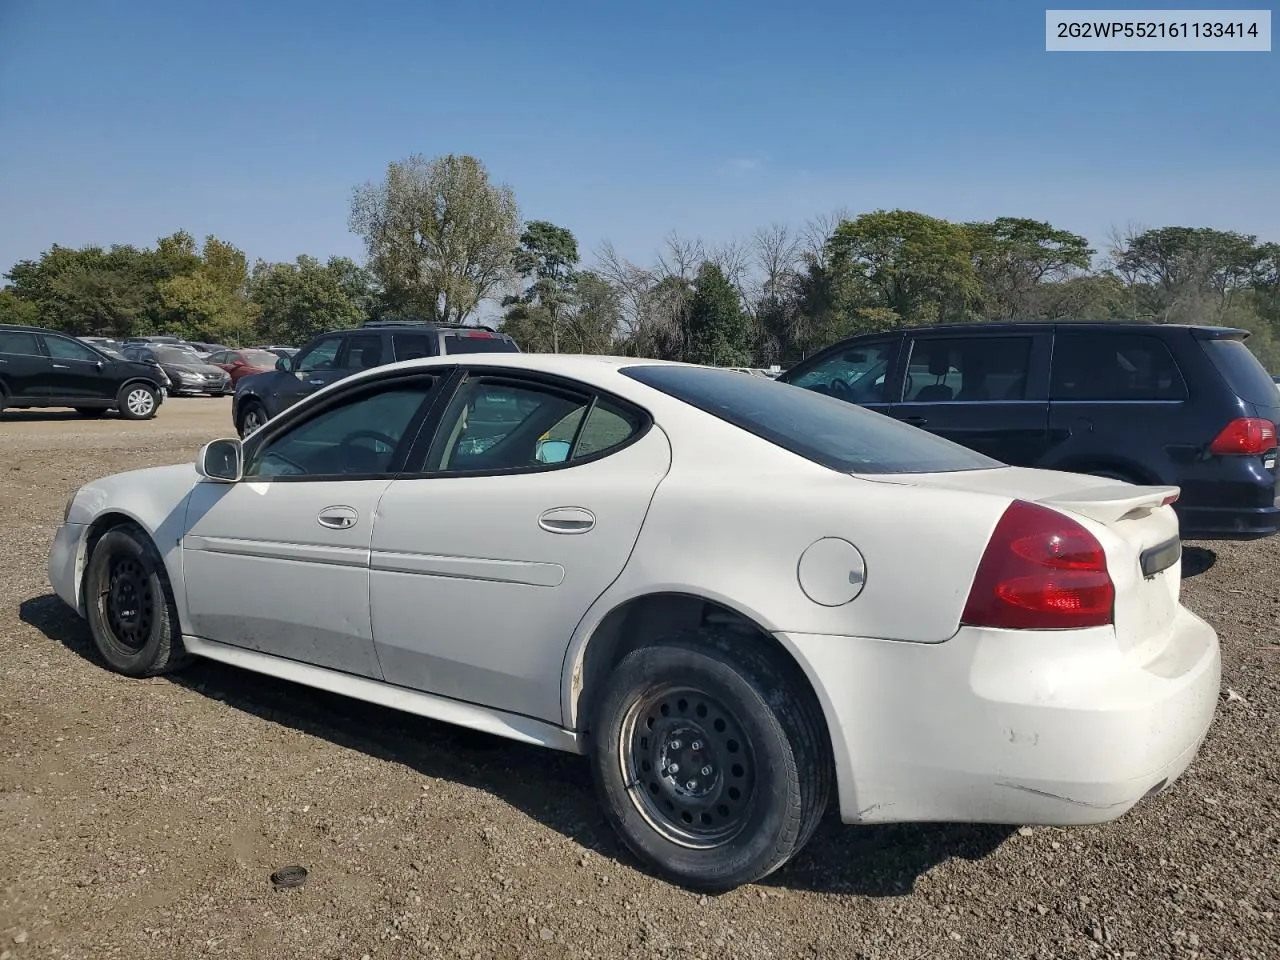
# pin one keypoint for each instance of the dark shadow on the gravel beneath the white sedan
(554, 788)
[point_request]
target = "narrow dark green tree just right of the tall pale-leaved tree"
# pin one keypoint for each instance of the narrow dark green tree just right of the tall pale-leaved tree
(547, 263)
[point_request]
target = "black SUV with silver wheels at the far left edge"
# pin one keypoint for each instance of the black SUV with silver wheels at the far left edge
(47, 369)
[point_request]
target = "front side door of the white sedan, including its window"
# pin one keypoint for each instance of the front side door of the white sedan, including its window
(280, 561)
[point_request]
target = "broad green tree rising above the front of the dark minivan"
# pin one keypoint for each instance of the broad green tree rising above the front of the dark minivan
(916, 266)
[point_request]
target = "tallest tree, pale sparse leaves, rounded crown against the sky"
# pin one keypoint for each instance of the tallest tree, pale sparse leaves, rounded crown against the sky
(440, 235)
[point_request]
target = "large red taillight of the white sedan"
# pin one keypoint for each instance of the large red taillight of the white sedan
(1041, 572)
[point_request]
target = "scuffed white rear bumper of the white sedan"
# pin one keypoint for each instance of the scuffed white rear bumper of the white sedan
(1011, 728)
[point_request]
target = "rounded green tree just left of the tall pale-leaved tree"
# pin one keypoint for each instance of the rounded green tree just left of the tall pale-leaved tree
(304, 299)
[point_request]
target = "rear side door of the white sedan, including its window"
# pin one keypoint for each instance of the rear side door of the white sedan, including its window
(527, 508)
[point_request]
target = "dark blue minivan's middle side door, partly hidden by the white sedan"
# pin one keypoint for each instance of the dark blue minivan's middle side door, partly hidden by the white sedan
(985, 391)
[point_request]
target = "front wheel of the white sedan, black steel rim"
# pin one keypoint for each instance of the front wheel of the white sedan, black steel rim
(130, 606)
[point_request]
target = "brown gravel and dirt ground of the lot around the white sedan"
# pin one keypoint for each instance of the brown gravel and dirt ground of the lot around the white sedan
(143, 819)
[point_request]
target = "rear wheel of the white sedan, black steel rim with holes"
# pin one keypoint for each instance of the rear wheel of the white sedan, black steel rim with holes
(711, 761)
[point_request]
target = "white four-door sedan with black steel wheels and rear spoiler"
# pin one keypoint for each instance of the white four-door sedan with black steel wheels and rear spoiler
(735, 596)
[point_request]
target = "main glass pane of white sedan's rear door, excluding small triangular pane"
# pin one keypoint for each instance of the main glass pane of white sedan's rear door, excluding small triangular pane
(495, 424)
